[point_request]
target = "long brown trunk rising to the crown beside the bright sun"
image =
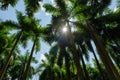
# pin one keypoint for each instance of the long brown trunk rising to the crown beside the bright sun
(76, 57)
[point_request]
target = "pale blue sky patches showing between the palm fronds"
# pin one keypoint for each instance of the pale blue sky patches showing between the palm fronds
(45, 19)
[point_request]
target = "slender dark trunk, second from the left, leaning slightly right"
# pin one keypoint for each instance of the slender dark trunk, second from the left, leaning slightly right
(29, 61)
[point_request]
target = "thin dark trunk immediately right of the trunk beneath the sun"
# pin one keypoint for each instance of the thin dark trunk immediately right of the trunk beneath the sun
(84, 66)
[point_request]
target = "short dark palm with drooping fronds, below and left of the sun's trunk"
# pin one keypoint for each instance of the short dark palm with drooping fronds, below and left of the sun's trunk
(61, 55)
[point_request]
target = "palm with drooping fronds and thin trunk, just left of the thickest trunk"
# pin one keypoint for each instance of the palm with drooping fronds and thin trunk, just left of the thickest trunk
(84, 41)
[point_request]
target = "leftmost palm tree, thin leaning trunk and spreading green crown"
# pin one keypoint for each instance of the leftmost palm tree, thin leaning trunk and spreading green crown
(22, 26)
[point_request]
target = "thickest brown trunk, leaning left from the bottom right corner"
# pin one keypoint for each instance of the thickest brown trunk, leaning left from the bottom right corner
(111, 70)
